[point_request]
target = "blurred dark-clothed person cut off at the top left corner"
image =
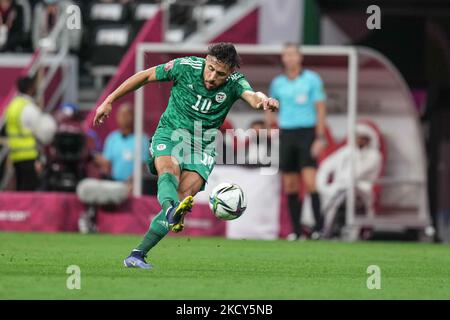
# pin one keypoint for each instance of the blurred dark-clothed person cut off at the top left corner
(11, 26)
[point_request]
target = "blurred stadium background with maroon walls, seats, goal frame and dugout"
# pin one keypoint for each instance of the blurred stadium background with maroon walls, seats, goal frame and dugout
(396, 78)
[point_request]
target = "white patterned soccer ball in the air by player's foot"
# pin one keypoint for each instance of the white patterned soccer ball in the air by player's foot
(227, 201)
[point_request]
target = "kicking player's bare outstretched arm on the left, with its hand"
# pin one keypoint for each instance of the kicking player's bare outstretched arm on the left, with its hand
(132, 83)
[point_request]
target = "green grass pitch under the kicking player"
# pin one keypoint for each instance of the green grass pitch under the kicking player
(33, 266)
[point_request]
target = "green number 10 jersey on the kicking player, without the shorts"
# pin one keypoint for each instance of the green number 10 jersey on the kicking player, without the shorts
(191, 102)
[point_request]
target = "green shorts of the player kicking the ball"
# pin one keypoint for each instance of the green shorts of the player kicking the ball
(189, 157)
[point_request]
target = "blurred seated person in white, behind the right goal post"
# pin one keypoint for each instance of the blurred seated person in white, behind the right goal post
(333, 177)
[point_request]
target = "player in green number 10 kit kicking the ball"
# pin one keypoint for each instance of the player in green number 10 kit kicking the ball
(203, 92)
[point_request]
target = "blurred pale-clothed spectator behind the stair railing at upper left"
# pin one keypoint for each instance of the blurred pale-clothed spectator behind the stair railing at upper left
(45, 18)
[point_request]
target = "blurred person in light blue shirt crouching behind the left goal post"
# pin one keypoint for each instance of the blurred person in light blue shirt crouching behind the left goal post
(116, 165)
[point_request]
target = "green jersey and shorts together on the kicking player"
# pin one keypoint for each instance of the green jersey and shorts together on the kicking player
(188, 127)
